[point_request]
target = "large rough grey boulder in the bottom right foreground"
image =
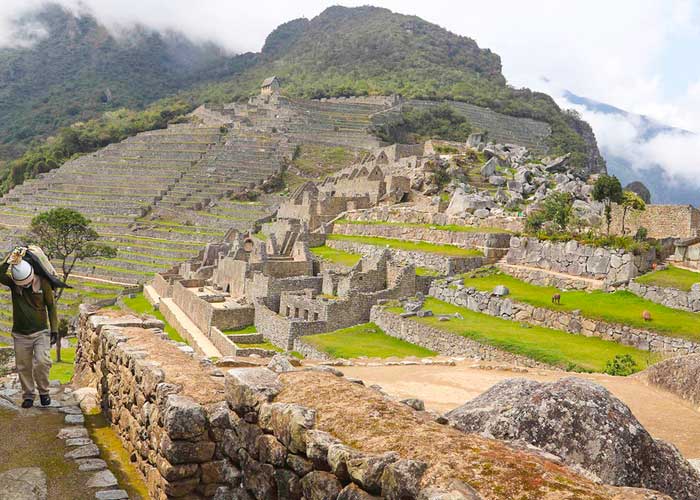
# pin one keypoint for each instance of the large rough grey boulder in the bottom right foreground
(587, 427)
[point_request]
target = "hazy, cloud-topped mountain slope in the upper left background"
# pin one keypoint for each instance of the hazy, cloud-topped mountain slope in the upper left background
(77, 70)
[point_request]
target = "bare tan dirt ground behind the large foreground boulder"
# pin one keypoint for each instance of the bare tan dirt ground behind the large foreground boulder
(443, 388)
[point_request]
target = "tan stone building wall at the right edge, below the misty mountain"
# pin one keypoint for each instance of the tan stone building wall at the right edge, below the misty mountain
(661, 221)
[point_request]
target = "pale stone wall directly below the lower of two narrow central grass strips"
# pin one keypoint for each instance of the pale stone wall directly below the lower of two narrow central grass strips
(440, 263)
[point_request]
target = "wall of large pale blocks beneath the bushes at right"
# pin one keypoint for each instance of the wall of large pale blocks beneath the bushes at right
(614, 266)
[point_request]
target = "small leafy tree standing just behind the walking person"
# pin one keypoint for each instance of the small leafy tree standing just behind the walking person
(67, 237)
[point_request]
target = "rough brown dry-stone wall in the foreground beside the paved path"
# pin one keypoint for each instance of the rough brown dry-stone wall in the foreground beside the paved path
(235, 442)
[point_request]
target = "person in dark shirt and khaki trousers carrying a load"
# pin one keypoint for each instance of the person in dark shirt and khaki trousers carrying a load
(33, 311)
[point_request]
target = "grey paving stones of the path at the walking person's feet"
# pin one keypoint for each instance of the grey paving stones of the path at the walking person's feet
(30, 483)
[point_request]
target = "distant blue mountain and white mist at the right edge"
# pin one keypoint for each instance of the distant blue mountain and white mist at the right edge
(639, 148)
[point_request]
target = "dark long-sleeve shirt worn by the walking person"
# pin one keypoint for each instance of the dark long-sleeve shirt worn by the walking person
(31, 311)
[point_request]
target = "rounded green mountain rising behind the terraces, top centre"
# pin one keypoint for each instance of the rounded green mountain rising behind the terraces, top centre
(369, 50)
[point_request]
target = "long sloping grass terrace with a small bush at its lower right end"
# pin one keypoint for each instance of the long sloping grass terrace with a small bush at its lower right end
(554, 347)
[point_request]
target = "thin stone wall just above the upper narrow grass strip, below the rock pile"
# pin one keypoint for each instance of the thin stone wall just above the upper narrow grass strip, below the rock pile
(410, 214)
